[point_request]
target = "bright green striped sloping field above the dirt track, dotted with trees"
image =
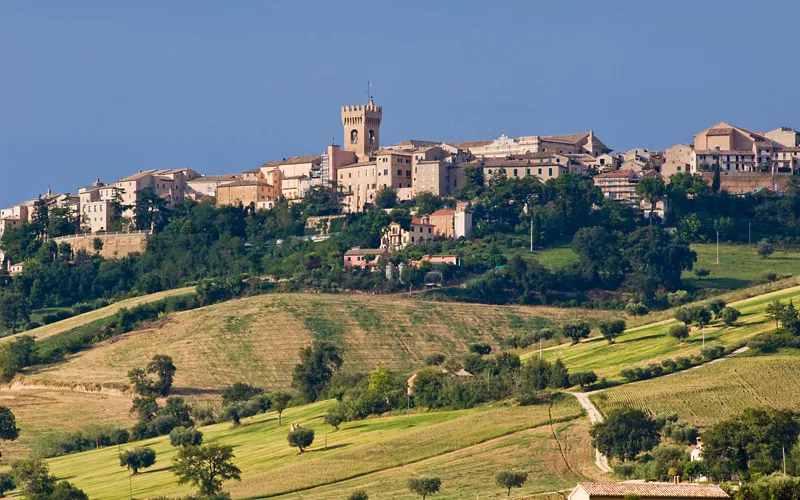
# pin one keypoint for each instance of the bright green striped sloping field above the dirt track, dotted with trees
(652, 343)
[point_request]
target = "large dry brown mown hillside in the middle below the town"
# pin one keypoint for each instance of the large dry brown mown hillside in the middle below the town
(258, 338)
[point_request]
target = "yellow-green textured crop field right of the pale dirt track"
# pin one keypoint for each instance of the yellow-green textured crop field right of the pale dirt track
(713, 392)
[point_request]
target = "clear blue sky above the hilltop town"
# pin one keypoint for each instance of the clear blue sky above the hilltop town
(110, 88)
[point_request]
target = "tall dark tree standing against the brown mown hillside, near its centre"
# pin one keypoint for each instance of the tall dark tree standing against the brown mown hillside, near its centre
(317, 365)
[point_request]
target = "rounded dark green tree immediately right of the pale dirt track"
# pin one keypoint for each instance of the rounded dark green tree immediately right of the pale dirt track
(625, 433)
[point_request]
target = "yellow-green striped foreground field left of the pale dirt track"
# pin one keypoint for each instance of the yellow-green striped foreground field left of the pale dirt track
(380, 452)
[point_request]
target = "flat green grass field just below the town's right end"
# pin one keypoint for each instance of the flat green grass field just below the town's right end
(739, 266)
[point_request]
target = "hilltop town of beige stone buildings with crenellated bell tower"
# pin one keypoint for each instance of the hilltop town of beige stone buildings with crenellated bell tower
(363, 169)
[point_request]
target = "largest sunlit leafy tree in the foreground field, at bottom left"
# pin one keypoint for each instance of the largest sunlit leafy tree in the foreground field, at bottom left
(206, 467)
